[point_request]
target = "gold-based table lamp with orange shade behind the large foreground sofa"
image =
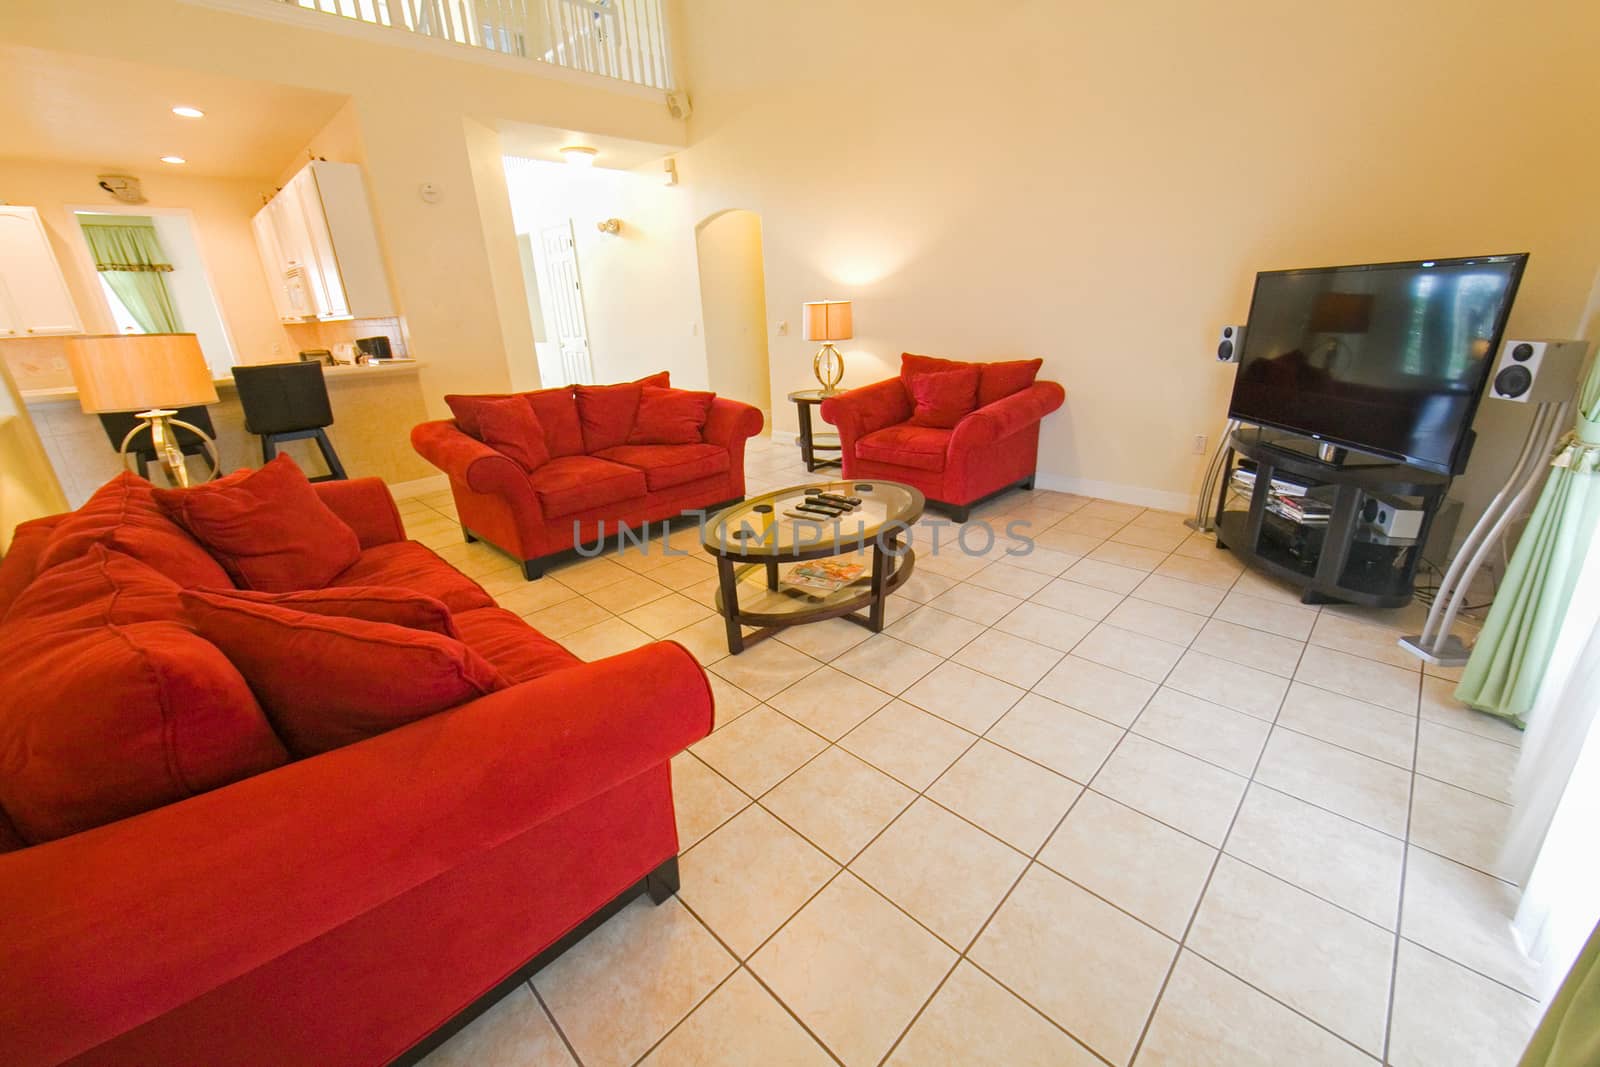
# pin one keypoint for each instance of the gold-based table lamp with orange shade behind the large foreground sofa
(151, 375)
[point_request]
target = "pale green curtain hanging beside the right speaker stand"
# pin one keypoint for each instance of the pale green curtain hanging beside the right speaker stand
(1514, 649)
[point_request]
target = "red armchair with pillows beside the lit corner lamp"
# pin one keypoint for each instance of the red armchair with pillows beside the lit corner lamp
(961, 454)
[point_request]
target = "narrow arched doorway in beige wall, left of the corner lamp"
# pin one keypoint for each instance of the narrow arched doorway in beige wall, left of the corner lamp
(734, 306)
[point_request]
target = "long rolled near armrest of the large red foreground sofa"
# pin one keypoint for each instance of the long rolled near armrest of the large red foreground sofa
(110, 929)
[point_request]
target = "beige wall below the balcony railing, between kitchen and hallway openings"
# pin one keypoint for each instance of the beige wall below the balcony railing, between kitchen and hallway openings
(450, 262)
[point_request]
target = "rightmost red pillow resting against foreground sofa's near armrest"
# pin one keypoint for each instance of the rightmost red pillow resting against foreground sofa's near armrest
(332, 682)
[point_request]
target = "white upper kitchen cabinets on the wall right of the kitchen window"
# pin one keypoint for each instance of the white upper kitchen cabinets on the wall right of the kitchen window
(321, 249)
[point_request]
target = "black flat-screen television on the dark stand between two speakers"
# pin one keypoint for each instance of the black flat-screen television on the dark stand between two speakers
(1386, 359)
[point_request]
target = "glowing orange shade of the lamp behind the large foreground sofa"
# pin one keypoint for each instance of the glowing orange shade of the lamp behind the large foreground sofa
(135, 372)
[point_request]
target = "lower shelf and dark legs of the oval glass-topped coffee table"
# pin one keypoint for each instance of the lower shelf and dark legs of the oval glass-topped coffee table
(772, 607)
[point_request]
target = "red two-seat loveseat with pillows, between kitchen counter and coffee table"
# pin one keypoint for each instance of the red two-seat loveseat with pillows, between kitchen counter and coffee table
(591, 470)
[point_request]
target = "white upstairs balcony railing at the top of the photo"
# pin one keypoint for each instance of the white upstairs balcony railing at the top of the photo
(615, 39)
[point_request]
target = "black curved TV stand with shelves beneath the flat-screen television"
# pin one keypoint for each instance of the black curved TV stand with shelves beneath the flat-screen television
(1335, 561)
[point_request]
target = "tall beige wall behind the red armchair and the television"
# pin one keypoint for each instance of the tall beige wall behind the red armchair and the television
(1097, 185)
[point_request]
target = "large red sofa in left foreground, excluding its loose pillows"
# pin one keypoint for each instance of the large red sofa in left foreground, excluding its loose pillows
(356, 906)
